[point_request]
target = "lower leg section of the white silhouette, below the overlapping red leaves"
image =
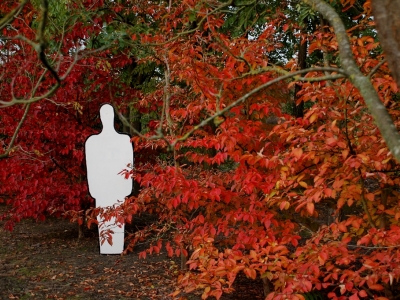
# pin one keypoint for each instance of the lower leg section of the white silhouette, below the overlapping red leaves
(116, 232)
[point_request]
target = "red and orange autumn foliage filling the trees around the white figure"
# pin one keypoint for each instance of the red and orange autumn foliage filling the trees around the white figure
(237, 183)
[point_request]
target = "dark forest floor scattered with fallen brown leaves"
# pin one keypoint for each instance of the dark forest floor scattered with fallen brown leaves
(45, 260)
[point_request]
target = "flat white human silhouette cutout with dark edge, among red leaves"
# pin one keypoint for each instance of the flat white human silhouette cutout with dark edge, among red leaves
(107, 154)
